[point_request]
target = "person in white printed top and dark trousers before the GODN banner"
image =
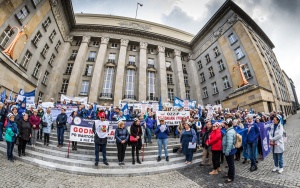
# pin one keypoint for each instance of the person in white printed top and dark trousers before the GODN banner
(100, 129)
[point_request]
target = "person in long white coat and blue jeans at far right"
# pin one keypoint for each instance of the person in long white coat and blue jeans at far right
(277, 144)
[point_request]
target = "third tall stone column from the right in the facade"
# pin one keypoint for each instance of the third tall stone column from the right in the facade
(162, 74)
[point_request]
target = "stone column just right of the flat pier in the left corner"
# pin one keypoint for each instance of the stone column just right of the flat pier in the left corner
(78, 67)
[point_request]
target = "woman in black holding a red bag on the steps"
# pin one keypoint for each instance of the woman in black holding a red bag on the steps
(136, 132)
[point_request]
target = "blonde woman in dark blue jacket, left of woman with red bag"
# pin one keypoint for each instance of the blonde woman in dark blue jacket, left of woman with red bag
(122, 136)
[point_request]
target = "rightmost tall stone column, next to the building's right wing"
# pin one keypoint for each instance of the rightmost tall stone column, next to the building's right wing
(194, 80)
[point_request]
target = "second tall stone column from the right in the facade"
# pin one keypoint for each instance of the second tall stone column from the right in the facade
(178, 73)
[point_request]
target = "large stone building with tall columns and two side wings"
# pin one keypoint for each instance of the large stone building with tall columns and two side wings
(111, 58)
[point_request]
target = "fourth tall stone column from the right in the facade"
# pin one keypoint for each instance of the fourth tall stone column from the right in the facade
(143, 72)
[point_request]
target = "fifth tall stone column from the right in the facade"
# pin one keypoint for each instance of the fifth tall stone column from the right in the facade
(120, 72)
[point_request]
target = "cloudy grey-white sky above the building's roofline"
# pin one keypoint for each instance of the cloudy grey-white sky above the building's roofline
(280, 20)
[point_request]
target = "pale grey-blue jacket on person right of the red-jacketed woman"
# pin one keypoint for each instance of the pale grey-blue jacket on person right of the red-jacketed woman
(228, 141)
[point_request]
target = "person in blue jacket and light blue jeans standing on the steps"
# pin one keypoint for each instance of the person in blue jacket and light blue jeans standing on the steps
(162, 131)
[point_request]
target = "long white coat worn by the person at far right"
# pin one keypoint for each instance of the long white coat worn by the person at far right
(278, 138)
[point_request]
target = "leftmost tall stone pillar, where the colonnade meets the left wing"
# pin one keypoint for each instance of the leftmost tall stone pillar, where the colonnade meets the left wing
(55, 76)
